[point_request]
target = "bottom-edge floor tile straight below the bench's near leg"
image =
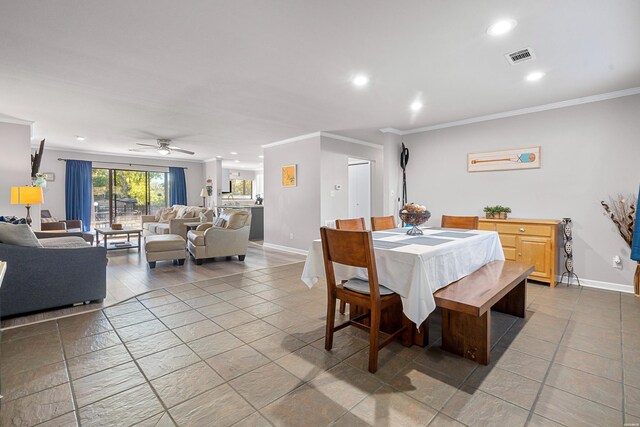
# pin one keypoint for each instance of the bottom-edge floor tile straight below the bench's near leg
(472, 406)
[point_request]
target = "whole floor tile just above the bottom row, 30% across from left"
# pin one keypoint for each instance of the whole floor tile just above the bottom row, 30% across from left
(186, 383)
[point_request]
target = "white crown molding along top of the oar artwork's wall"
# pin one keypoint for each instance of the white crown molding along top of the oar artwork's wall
(522, 111)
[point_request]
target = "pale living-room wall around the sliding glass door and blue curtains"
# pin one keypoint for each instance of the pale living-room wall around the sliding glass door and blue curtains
(55, 193)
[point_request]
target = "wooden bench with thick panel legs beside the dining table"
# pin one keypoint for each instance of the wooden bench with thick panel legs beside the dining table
(466, 306)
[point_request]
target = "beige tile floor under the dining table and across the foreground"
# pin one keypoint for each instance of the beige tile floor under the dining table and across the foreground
(247, 349)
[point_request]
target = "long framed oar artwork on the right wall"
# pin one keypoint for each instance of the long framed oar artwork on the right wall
(517, 158)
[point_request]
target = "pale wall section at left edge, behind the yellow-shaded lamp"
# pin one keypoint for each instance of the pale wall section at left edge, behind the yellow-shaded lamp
(15, 167)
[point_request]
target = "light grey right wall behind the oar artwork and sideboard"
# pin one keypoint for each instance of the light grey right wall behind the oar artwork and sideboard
(589, 152)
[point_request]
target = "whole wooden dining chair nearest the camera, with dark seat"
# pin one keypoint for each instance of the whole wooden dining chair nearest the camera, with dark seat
(355, 248)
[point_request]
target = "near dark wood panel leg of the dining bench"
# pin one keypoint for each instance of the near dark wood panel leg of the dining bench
(466, 335)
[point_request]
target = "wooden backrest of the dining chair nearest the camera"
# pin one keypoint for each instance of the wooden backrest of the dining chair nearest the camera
(352, 248)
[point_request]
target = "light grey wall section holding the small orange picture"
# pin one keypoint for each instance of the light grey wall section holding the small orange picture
(292, 209)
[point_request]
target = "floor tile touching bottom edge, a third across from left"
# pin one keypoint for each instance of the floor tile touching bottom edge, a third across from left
(221, 404)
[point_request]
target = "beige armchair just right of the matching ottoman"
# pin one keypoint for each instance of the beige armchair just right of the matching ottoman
(229, 239)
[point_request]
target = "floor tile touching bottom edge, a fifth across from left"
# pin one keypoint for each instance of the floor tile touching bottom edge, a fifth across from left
(123, 409)
